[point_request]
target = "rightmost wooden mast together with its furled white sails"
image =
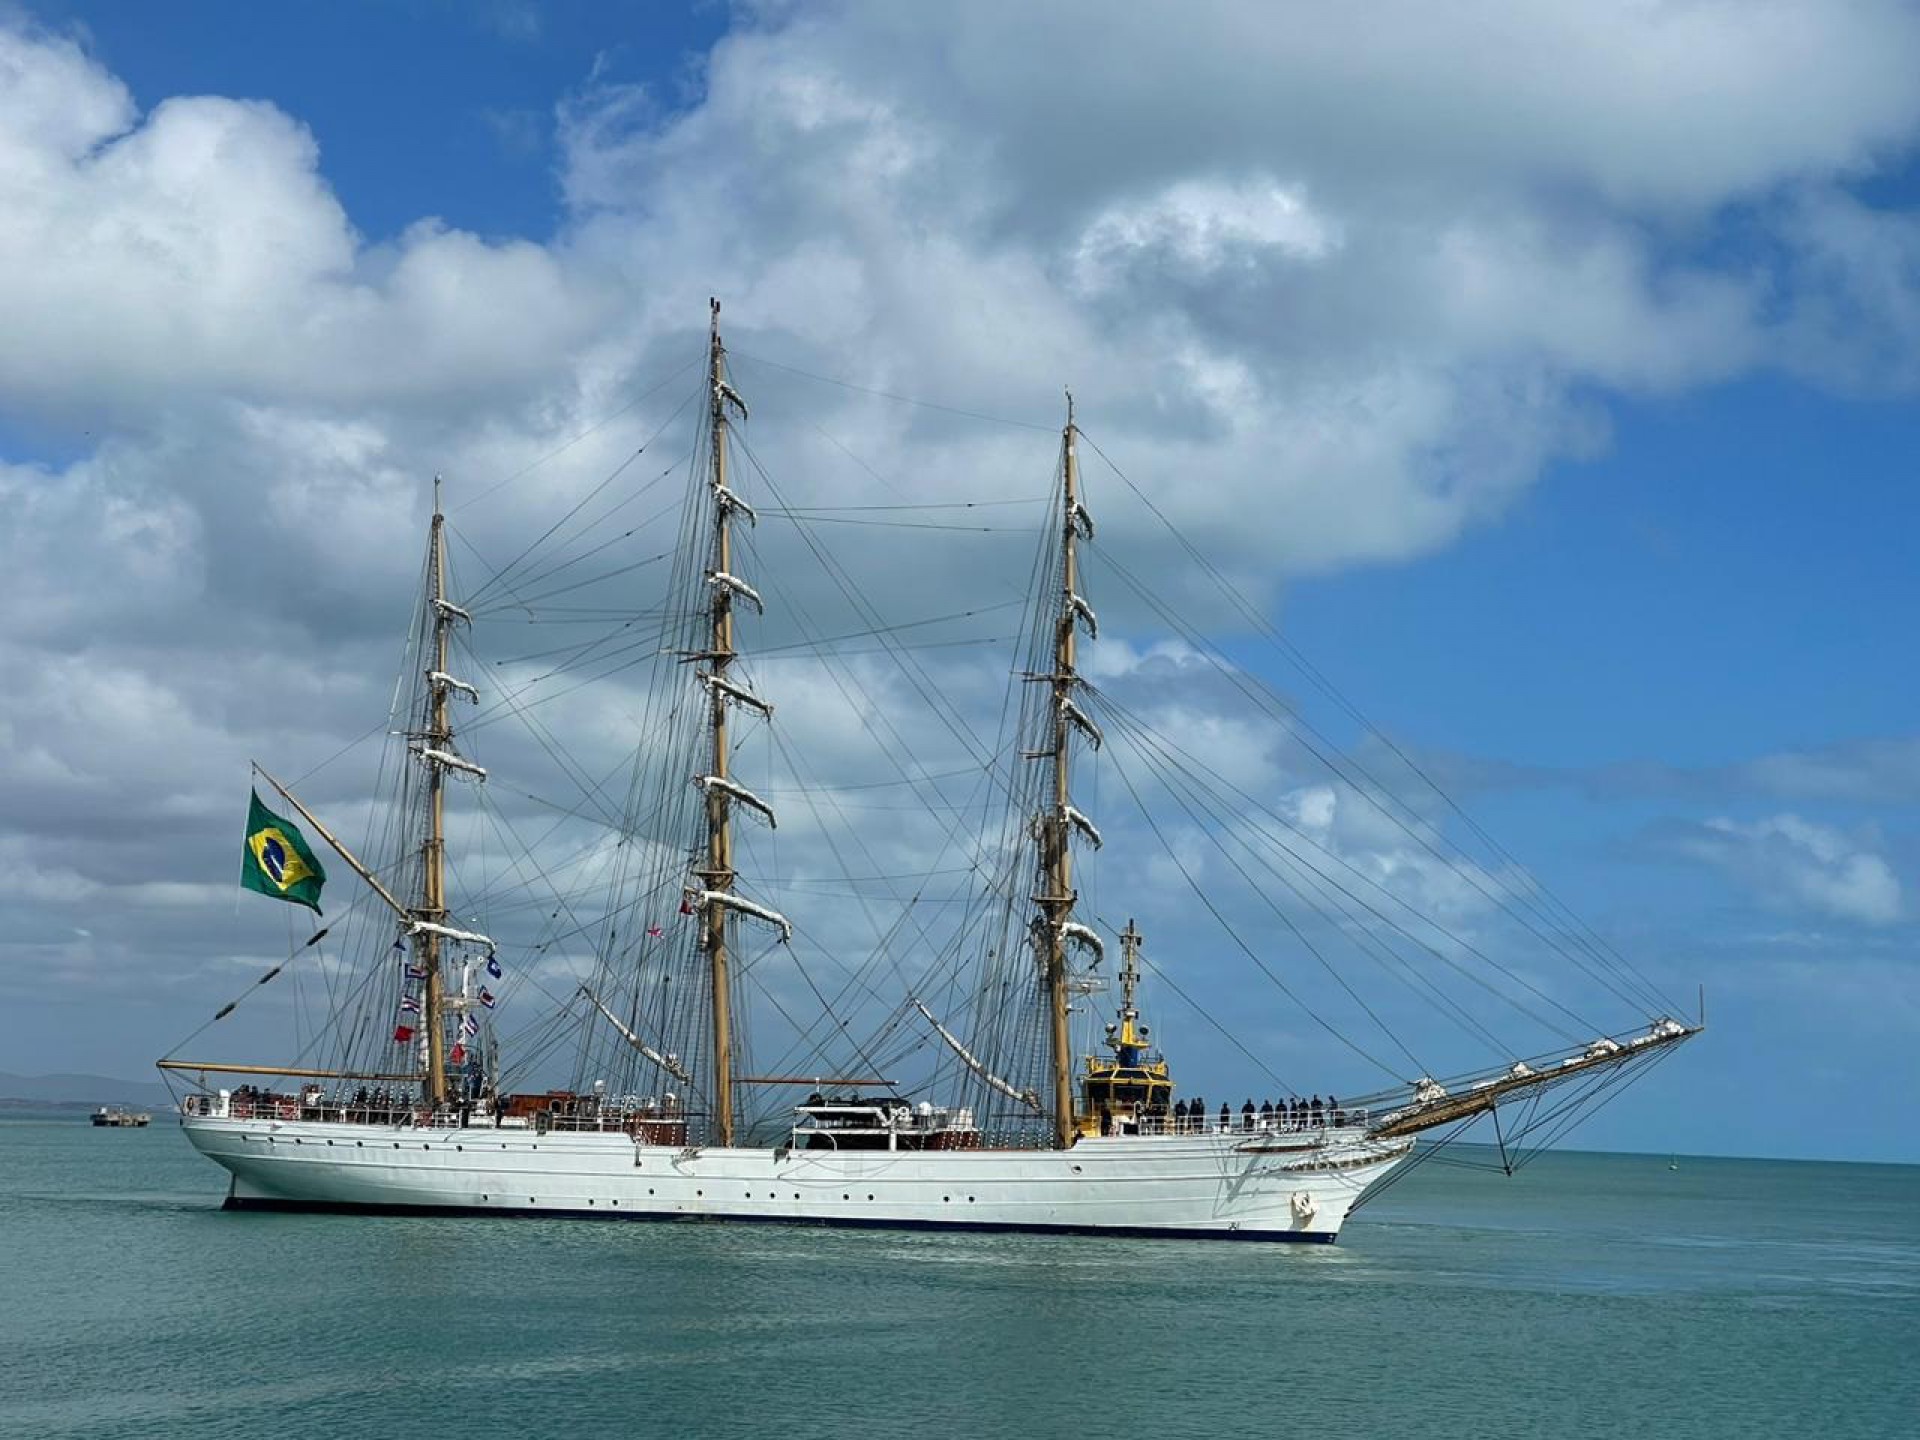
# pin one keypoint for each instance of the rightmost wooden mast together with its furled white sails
(1059, 823)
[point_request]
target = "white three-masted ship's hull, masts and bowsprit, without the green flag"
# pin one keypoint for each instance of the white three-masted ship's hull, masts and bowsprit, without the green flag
(406, 1097)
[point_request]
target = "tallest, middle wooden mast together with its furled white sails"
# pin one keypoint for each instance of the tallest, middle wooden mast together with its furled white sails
(715, 898)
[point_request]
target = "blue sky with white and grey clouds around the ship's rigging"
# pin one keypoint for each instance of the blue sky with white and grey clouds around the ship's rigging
(1547, 373)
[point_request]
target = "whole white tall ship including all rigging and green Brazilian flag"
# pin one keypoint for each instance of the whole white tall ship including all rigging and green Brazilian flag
(679, 1017)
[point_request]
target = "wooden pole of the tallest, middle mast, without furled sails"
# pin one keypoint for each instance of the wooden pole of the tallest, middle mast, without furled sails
(719, 873)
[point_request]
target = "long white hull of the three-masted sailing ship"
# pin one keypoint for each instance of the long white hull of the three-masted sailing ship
(1222, 1186)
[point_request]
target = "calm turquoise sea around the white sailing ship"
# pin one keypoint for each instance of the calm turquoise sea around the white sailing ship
(1591, 1295)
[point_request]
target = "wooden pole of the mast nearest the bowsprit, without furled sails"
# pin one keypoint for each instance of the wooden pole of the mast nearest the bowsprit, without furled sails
(1057, 828)
